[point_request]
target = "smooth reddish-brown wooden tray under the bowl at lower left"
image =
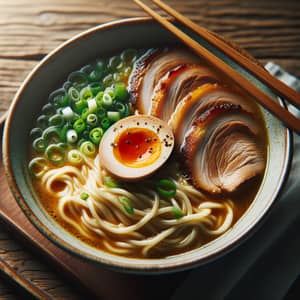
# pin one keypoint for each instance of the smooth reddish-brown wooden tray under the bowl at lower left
(94, 278)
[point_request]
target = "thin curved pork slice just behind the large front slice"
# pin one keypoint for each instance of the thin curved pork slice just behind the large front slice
(198, 101)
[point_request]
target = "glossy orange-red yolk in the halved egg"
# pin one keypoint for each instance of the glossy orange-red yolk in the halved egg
(137, 147)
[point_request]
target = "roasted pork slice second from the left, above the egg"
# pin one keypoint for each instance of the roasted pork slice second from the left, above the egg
(175, 85)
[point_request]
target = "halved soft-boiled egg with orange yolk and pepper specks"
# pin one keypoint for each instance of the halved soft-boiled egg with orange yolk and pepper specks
(136, 146)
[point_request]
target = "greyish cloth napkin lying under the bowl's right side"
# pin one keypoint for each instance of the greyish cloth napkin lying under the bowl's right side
(266, 264)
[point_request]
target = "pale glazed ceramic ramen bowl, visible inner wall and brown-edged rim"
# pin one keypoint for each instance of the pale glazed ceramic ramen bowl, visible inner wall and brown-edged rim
(50, 73)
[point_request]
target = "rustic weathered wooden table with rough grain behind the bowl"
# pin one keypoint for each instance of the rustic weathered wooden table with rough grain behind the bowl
(269, 30)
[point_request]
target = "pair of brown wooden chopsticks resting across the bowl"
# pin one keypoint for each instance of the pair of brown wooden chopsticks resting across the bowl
(284, 115)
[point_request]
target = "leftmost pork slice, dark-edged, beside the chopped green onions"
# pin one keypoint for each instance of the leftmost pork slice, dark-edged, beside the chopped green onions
(150, 68)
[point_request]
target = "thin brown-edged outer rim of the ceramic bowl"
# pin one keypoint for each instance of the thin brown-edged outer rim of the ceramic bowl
(126, 266)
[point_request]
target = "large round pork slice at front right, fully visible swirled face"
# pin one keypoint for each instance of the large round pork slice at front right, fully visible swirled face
(223, 149)
